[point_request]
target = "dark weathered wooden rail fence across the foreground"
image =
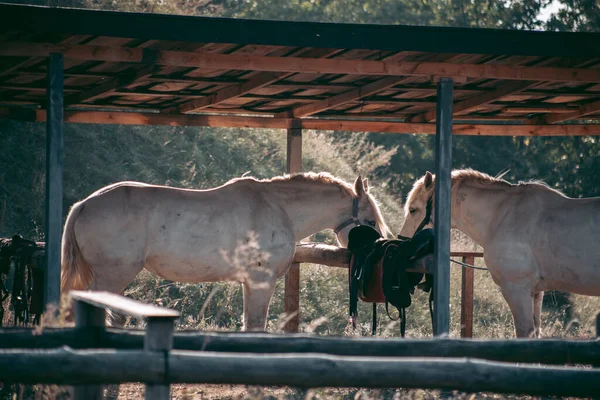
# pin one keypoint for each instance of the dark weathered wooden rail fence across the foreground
(89, 356)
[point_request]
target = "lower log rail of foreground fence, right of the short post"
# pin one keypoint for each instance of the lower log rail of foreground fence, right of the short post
(316, 370)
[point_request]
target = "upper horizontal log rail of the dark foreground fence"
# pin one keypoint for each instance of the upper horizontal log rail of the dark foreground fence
(546, 351)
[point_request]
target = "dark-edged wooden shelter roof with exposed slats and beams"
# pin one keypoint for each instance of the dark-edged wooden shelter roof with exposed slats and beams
(178, 70)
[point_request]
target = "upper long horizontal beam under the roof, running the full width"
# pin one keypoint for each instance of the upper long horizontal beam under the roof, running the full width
(299, 64)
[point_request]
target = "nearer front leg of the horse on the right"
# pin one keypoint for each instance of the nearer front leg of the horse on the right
(520, 301)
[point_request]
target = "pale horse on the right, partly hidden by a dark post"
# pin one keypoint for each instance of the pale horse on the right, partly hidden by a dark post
(534, 238)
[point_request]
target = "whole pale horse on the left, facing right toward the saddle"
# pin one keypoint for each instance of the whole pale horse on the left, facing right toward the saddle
(243, 231)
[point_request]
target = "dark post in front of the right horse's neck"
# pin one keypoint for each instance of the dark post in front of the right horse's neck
(443, 169)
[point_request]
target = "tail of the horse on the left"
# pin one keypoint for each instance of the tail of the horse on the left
(76, 272)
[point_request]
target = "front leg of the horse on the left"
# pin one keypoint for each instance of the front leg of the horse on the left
(257, 296)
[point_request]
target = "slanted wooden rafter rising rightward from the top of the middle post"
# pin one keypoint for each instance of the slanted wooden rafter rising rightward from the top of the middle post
(346, 97)
